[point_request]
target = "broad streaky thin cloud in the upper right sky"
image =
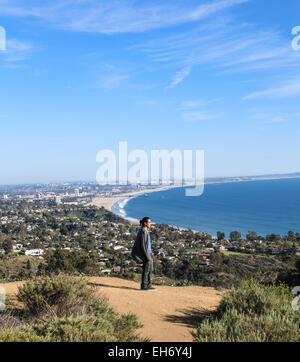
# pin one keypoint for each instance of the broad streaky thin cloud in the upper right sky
(231, 46)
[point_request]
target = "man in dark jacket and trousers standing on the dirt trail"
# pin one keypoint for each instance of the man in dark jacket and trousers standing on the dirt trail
(141, 252)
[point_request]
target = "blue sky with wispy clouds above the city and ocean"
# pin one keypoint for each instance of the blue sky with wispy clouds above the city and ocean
(78, 76)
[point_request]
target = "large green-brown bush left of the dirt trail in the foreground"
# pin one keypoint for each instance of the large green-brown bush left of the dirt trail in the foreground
(65, 309)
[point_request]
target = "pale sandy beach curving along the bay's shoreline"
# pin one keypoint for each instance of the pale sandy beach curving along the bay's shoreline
(109, 201)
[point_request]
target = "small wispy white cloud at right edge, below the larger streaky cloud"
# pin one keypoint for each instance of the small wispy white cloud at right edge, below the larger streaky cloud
(288, 89)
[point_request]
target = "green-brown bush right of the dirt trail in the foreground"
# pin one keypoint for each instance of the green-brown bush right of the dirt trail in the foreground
(252, 313)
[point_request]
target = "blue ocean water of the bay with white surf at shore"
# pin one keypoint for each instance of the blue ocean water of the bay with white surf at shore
(268, 206)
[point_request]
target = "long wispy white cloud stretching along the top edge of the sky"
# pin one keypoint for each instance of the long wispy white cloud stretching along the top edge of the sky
(115, 16)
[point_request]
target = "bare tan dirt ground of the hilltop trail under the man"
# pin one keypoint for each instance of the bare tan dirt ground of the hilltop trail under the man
(168, 314)
